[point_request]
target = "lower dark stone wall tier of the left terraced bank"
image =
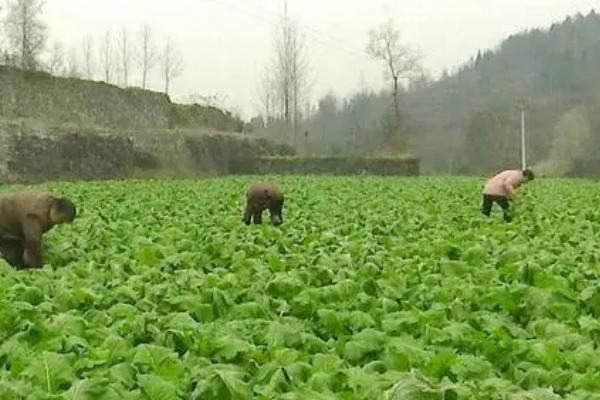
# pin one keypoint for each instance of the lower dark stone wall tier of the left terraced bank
(28, 155)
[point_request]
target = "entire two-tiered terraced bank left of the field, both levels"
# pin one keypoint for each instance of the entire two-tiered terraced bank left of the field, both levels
(63, 128)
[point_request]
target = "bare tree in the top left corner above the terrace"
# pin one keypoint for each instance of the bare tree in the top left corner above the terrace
(26, 32)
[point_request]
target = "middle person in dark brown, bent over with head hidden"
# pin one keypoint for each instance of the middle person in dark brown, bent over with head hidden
(262, 196)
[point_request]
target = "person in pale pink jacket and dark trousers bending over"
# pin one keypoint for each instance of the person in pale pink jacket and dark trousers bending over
(502, 188)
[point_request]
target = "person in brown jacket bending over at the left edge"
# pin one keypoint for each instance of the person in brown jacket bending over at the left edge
(24, 218)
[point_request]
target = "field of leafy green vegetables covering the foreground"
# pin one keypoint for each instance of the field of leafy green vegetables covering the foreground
(373, 288)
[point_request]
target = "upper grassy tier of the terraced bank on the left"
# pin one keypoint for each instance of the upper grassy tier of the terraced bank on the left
(40, 97)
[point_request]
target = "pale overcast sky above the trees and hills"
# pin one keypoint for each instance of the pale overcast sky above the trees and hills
(227, 43)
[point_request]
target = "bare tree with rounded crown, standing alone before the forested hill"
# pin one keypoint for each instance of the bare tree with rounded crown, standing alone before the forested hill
(400, 61)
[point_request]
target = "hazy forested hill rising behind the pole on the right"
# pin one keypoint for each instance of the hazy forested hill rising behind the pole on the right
(469, 122)
